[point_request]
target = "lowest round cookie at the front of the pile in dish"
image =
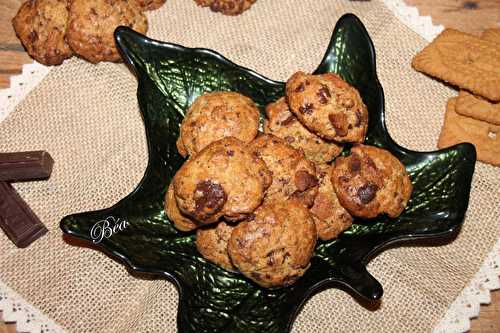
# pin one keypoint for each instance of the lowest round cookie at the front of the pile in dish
(274, 247)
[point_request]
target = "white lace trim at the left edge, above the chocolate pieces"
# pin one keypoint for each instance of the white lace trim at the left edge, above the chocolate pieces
(20, 86)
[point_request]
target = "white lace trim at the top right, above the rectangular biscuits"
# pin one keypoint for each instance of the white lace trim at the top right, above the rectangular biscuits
(409, 15)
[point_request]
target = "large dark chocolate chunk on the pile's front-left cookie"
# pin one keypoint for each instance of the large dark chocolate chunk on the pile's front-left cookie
(209, 198)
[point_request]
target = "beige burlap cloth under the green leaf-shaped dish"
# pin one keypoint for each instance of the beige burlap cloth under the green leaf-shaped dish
(87, 117)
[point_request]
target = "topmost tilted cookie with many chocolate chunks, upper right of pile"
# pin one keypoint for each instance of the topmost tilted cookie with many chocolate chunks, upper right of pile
(328, 106)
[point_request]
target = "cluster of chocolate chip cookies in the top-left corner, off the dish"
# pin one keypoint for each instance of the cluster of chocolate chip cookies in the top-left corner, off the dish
(54, 30)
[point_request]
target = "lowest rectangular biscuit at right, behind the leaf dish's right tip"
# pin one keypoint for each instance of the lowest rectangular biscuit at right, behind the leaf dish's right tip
(484, 136)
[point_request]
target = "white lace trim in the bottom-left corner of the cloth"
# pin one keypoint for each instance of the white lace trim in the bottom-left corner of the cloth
(28, 319)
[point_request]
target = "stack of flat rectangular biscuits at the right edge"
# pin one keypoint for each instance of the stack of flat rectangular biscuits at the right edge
(472, 64)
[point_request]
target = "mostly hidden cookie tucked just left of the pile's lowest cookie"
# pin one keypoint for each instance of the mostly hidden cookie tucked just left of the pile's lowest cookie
(211, 242)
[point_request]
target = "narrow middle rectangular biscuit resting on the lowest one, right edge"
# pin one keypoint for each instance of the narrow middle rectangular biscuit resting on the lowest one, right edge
(478, 108)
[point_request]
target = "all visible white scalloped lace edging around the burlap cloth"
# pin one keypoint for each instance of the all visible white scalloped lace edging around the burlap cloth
(456, 319)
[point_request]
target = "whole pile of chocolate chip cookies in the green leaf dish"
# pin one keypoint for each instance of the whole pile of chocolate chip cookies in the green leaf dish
(259, 201)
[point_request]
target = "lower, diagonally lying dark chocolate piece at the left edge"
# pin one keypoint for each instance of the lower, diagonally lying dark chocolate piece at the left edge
(17, 219)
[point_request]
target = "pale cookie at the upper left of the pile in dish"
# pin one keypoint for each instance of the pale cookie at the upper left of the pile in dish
(214, 116)
